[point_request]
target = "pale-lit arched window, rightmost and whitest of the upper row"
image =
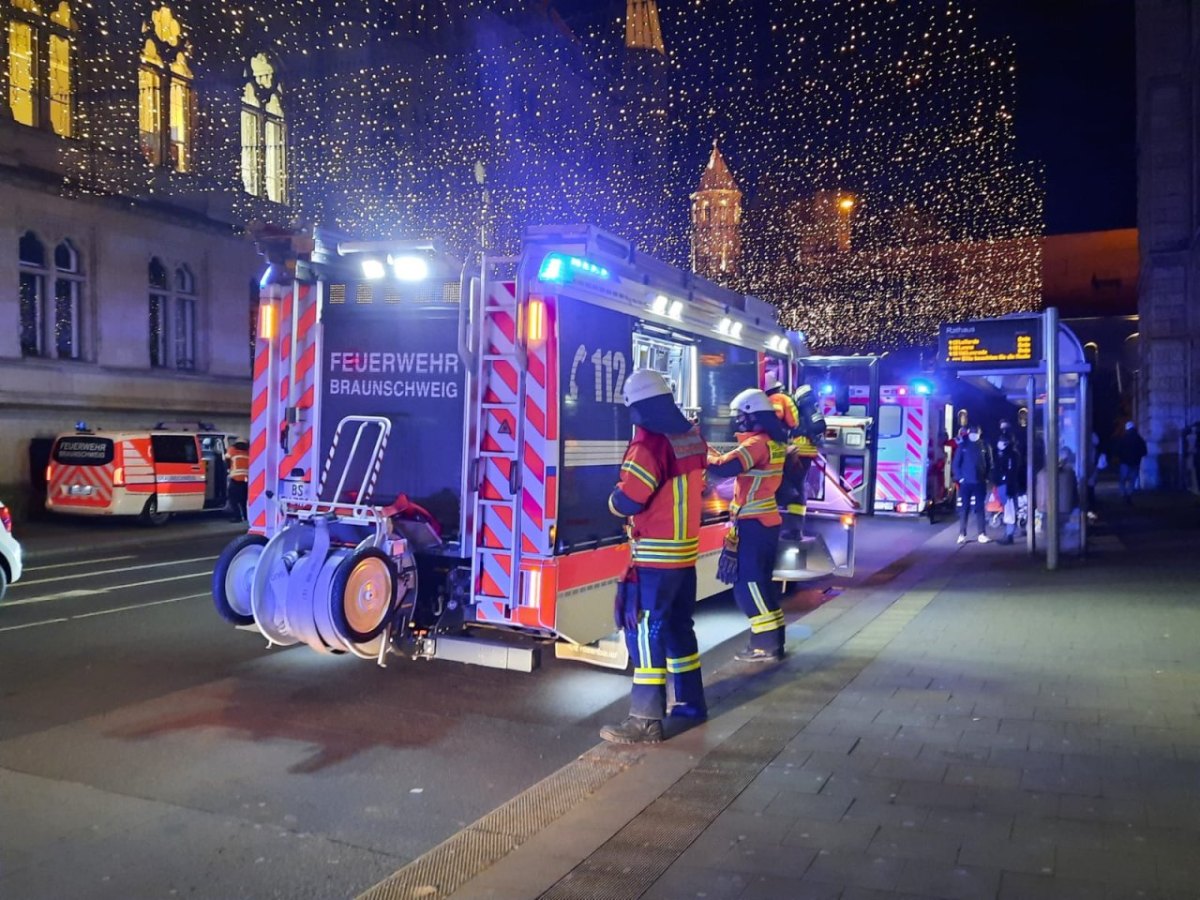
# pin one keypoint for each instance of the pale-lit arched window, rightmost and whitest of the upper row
(265, 136)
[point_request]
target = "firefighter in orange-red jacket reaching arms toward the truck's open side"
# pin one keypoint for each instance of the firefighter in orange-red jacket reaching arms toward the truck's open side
(758, 463)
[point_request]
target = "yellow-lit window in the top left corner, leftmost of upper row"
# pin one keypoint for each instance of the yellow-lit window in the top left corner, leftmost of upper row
(41, 89)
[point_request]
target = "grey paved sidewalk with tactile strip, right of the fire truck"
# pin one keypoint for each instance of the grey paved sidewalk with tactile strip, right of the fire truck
(963, 724)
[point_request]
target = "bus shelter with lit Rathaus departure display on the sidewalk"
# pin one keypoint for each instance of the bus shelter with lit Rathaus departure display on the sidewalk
(1037, 363)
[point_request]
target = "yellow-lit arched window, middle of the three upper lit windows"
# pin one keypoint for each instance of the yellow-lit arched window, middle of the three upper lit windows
(165, 94)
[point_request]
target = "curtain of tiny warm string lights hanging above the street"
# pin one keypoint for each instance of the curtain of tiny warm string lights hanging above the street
(873, 139)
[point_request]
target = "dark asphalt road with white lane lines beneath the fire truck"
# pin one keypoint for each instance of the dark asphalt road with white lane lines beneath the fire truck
(148, 749)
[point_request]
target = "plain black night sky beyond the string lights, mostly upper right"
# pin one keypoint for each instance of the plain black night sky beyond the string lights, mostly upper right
(1075, 105)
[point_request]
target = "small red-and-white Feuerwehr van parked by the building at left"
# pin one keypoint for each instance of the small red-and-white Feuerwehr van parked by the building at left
(151, 475)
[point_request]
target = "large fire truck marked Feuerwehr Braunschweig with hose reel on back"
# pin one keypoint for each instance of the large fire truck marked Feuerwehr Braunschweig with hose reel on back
(434, 445)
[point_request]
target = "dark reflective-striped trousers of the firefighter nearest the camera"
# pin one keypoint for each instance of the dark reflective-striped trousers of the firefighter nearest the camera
(664, 645)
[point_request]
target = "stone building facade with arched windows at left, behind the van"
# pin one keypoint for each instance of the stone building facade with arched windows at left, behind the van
(127, 290)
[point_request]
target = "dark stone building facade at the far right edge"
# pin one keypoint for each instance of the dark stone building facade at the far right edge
(1168, 219)
